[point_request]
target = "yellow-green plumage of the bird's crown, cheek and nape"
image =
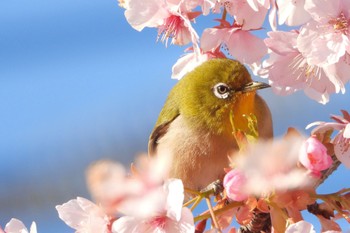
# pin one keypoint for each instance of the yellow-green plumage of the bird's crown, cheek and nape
(192, 96)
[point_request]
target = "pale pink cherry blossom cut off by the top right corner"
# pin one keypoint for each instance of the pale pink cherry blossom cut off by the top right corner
(325, 39)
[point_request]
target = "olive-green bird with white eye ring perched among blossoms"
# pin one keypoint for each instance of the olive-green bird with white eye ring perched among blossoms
(194, 127)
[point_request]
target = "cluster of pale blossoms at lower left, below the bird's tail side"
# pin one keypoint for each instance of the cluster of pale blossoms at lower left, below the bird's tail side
(137, 202)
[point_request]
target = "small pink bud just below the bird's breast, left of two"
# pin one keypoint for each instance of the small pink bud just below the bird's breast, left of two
(234, 182)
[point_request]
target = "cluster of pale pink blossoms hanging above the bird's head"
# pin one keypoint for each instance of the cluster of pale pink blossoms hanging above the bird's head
(313, 56)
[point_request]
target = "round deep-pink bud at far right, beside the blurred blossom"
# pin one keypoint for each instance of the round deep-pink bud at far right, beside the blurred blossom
(313, 156)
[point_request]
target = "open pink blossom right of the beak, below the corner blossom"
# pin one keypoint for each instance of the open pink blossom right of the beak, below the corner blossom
(288, 70)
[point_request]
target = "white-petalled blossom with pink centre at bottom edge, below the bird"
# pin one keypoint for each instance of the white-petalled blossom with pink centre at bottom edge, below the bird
(170, 216)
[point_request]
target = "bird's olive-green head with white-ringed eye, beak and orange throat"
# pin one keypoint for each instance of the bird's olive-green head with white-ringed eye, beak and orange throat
(208, 94)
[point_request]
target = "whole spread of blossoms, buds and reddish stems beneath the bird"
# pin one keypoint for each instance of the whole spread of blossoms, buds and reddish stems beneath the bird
(274, 177)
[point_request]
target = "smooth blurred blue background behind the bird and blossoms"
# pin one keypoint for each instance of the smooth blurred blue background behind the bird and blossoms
(78, 84)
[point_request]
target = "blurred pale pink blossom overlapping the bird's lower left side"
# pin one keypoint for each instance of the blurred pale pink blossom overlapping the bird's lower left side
(116, 191)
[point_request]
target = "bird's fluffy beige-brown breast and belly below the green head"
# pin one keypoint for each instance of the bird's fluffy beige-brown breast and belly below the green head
(198, 156)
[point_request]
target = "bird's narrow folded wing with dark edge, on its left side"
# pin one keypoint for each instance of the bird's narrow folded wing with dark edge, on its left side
(168, 114)
